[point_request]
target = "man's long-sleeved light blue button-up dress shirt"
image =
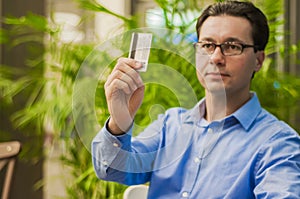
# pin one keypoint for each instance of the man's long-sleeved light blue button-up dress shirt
(249, 154)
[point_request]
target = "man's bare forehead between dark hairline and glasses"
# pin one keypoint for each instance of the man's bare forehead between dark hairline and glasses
(222, 28)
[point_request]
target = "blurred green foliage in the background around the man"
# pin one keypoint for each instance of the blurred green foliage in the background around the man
(51, 77)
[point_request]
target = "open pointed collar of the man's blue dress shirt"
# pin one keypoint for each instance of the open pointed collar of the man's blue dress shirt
(245, 115)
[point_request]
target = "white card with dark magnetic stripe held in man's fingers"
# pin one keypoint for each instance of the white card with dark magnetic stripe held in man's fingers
(140, 48)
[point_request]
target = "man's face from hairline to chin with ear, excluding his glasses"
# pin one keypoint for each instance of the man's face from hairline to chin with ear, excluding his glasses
(219, 73)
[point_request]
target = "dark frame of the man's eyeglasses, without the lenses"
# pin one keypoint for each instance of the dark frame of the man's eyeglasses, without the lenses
(226, 43)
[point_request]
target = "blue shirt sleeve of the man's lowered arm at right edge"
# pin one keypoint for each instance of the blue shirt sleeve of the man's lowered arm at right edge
(278, 167)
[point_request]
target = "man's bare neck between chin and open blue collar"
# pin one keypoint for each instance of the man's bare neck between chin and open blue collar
(219, 106)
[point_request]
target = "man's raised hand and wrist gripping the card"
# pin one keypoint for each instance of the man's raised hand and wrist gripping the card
(124, 90)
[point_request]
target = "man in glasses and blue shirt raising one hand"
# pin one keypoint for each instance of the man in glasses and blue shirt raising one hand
(227, 146)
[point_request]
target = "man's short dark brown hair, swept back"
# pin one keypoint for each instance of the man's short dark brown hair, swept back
(257, 19)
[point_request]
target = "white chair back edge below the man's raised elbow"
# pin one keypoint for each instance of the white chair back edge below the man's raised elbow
(136, 192)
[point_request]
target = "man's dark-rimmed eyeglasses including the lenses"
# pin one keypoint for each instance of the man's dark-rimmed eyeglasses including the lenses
(227, 49)
